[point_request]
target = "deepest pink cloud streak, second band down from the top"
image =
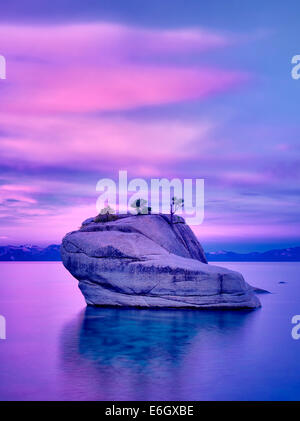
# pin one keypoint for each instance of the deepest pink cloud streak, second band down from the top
(95, 88)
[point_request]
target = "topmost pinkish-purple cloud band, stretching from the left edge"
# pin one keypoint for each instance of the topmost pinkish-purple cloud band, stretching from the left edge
(106, 41)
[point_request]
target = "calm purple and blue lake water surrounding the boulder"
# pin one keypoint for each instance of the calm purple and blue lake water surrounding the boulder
(57, 349)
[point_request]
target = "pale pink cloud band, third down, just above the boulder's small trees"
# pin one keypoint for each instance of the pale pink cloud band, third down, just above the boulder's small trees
(94, 140)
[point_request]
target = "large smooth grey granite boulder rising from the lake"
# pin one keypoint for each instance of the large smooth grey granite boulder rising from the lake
(145, 261)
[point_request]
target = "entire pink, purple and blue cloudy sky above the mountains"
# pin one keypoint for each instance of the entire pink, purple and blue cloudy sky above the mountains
(161, 89)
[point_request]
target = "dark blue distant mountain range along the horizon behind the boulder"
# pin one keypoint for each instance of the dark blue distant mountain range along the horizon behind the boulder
(51, 253)
